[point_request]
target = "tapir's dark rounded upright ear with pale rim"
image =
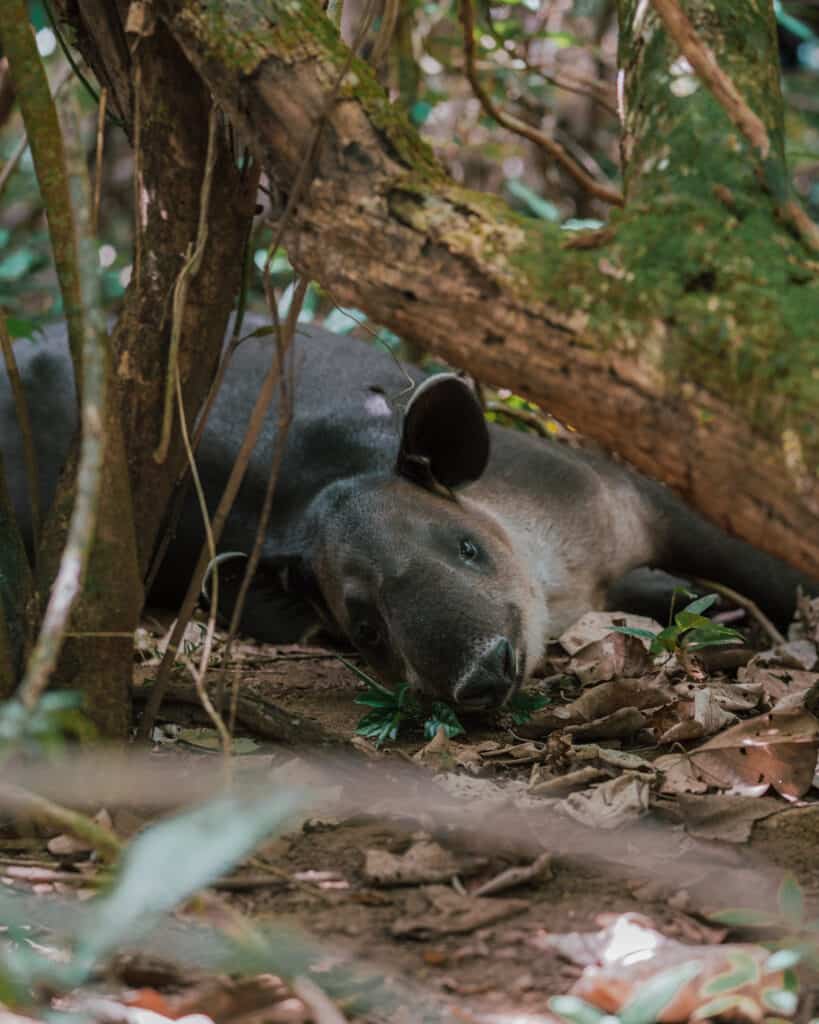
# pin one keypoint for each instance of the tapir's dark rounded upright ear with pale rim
(445, 441)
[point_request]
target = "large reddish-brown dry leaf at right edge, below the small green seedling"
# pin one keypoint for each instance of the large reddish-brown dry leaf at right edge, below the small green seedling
(778, 750)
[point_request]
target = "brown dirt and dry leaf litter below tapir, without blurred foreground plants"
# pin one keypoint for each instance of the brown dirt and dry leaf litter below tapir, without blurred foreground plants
(485, 874)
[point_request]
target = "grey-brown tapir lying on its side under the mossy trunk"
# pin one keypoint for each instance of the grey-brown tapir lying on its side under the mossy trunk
(448, 551)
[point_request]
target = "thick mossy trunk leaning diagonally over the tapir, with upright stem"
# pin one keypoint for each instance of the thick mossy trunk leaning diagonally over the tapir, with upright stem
(682, 337)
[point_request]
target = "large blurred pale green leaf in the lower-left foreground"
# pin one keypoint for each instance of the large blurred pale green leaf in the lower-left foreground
(168, 863)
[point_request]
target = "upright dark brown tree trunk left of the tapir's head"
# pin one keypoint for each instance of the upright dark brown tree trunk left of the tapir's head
(165, 108)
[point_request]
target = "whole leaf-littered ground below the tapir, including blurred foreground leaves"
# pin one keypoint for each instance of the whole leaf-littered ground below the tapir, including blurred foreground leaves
(564, 869)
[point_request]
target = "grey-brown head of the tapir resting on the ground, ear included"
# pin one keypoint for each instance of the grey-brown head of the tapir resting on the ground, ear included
(425, 581)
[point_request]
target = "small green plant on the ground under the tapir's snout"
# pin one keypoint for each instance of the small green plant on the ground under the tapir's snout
(393, 709)
